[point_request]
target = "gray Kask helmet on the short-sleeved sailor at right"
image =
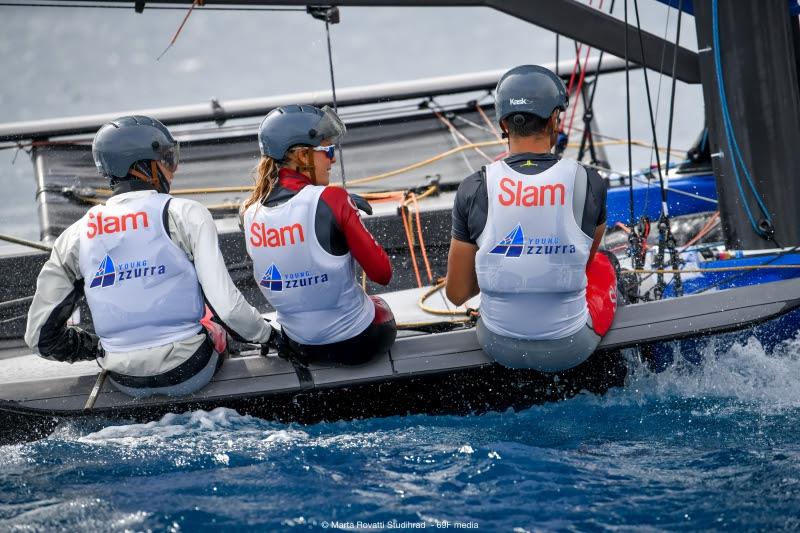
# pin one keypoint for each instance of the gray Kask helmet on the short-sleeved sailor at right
(529, 89)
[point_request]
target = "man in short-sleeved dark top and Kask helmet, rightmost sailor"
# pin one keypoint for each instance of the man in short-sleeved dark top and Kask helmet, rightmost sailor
(525, 233)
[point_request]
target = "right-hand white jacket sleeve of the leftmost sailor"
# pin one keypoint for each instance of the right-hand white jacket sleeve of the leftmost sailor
(197, 235)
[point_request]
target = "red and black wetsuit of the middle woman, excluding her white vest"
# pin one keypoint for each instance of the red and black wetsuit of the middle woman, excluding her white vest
(339, 230)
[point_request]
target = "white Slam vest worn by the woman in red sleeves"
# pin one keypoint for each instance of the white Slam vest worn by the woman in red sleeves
(314, 292)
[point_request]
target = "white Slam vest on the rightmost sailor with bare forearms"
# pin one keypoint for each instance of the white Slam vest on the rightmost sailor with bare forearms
(532, 254)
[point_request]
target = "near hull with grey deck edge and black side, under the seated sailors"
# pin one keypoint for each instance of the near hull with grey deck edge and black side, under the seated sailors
(423, 373)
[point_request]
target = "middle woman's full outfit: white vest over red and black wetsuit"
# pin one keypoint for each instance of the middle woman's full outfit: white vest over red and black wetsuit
(304, 241)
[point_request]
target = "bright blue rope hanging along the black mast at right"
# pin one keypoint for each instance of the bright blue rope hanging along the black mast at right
(733, 145)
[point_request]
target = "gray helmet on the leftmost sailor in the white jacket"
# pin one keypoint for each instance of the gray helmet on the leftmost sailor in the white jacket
(126, 140)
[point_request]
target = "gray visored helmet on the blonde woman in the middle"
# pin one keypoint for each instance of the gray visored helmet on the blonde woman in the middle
(293, 125)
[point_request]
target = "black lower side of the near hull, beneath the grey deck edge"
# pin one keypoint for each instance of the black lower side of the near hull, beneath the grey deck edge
(460, 392)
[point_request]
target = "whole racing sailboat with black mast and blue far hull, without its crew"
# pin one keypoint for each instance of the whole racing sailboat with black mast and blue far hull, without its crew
(748, 286)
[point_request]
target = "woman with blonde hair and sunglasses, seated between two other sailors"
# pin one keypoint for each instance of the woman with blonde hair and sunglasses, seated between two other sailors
(304, 238)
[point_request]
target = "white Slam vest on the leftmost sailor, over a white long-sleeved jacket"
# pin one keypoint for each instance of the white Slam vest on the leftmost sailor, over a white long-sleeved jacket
(141, 288)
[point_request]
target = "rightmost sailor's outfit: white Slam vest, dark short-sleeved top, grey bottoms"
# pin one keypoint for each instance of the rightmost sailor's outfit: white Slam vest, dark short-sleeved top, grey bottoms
(541, 308)
